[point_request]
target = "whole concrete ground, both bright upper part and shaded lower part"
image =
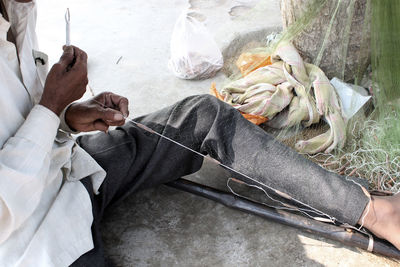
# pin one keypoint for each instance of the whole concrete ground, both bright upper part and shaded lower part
(162, 226)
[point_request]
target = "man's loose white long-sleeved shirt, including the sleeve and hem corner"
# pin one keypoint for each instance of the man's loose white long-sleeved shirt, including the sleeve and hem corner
(45, 212)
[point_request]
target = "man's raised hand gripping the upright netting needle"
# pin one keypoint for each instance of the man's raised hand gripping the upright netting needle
(66, 81)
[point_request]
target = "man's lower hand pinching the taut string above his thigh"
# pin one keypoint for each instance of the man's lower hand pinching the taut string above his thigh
(104, 110)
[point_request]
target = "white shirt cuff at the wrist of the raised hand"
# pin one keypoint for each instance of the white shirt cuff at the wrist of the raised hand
(40, 127)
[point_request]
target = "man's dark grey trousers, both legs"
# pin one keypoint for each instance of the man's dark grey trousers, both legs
(135, 159)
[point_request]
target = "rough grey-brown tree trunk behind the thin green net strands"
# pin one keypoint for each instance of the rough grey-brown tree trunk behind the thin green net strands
(346, 56)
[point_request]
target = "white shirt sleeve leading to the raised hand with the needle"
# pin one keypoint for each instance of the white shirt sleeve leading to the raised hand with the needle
(24, 166)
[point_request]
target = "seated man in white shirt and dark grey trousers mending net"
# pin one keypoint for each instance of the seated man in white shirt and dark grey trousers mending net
(53, 192)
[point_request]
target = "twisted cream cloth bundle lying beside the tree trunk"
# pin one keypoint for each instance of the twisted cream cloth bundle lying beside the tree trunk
(299, 88)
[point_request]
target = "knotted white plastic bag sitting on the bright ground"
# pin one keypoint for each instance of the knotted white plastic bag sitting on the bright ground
(194, 53)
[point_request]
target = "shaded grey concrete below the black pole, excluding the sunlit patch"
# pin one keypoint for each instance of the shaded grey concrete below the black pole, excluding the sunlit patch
(166, 227)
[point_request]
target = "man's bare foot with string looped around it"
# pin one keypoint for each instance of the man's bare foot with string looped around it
(383, 218)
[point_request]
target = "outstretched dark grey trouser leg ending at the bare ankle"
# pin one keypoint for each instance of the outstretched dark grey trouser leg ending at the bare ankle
(211, 127)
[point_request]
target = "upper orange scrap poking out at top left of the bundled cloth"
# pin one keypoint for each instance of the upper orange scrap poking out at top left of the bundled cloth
(248, 62)
